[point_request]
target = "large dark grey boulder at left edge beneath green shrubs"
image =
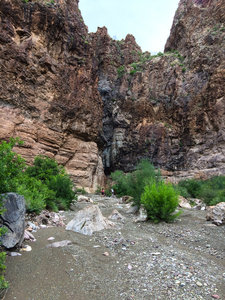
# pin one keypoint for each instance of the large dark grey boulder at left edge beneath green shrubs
(13, 218)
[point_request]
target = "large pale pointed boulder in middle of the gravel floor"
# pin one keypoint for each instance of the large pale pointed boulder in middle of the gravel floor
(88, 220)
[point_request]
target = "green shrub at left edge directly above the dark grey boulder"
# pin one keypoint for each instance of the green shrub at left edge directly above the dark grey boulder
(11, 166)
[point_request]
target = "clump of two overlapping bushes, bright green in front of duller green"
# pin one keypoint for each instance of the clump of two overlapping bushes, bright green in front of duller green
(146, 187)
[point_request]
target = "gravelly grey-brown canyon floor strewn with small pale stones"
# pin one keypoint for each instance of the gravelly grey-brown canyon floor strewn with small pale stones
(182, 260)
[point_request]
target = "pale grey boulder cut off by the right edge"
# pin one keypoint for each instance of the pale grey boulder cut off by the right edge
(216, 214)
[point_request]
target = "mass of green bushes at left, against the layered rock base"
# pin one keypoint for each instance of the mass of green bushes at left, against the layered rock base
(43, 185)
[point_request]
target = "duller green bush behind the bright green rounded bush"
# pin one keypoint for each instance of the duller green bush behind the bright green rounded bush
(133, 184)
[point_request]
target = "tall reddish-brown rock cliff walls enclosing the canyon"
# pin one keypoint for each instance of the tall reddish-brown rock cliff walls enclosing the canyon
(97, 104)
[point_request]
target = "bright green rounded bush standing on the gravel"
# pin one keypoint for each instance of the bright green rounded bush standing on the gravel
(160, 201)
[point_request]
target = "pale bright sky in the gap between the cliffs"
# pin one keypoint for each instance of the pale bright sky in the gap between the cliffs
(148, 20)
